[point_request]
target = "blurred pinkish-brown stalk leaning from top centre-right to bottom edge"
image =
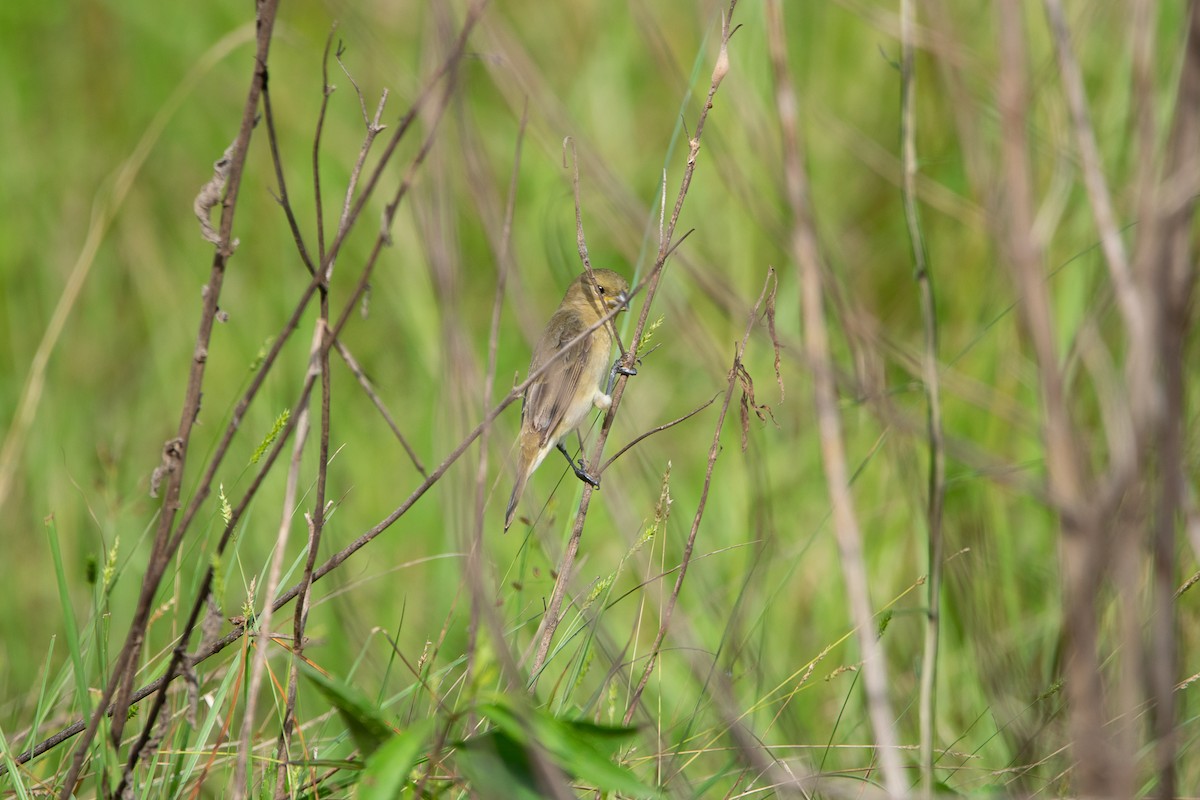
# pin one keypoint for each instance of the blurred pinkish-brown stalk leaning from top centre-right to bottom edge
(807, 256)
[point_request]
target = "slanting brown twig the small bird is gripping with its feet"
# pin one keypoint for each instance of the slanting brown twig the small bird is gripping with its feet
(551, 619)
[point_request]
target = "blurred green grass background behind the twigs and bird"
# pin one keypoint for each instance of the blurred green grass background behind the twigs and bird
(113, 116)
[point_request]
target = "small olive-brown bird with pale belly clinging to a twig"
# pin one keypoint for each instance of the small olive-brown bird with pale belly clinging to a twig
(560, 400)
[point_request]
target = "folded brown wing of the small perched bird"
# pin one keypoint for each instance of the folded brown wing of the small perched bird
(549, 398)
